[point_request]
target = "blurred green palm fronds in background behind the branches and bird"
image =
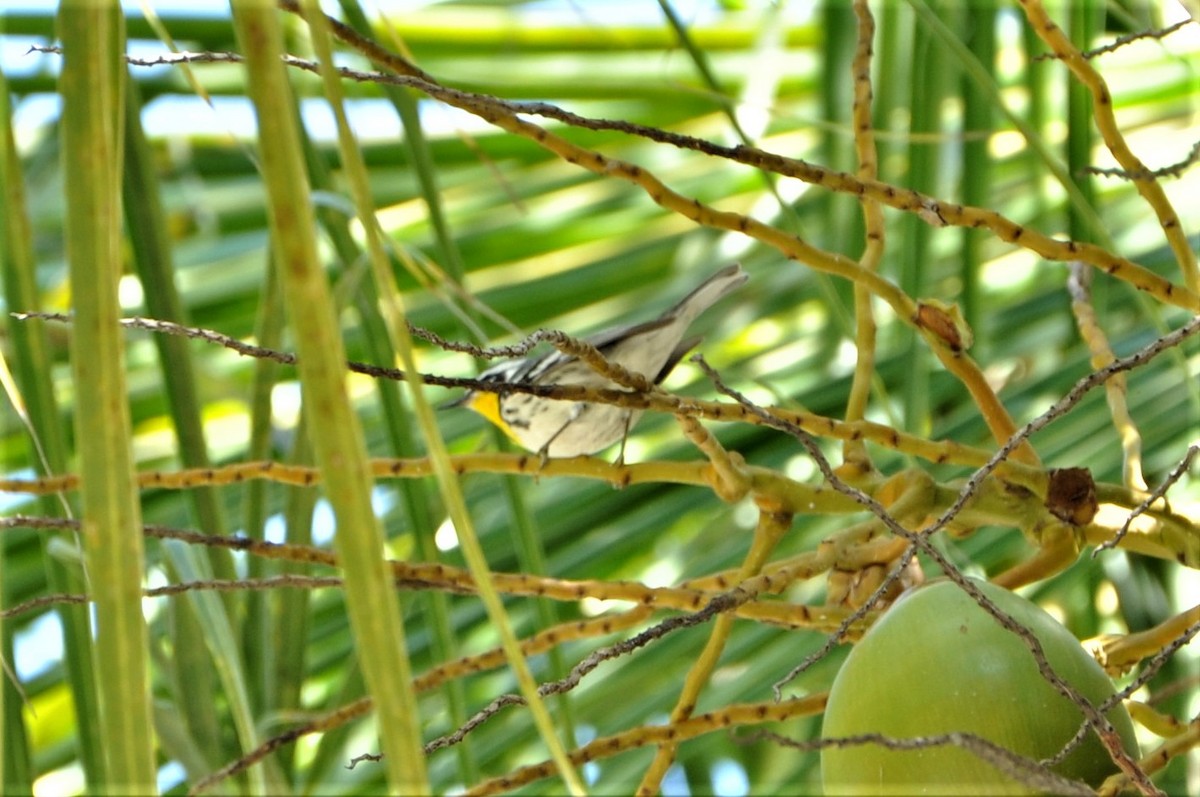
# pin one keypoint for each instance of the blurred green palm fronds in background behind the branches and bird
(962, 112)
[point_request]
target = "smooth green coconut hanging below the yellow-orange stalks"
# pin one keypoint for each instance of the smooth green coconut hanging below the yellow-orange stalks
(937, 663)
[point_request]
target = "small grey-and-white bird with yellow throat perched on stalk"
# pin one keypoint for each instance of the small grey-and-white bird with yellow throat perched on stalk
(565, 429)
